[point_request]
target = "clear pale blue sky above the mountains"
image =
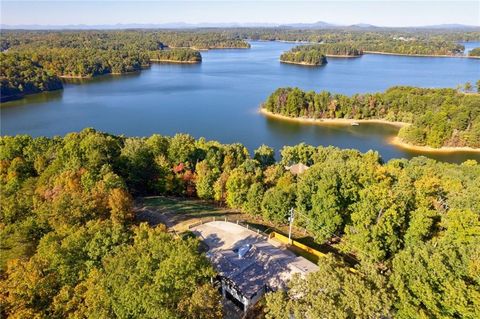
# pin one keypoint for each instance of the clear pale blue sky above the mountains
(383, 13)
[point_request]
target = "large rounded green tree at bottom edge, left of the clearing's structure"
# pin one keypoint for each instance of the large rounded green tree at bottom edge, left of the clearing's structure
(158, 277)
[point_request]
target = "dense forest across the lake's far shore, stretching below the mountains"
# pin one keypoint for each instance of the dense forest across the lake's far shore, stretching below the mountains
(48, 55)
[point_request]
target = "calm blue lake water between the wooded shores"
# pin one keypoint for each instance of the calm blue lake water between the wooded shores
(219, 98)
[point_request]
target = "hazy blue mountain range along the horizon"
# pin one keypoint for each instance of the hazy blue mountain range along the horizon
(183, 25)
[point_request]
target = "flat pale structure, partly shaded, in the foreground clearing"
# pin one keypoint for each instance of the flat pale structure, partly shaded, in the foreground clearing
(248, 264)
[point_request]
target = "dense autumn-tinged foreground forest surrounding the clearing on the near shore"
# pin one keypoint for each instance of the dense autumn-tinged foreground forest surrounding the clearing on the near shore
(70, 245)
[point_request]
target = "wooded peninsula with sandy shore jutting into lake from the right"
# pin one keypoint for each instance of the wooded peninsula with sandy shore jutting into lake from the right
(438, 117)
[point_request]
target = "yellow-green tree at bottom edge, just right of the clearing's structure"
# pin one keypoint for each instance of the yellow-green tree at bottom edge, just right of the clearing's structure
(334, 292)
